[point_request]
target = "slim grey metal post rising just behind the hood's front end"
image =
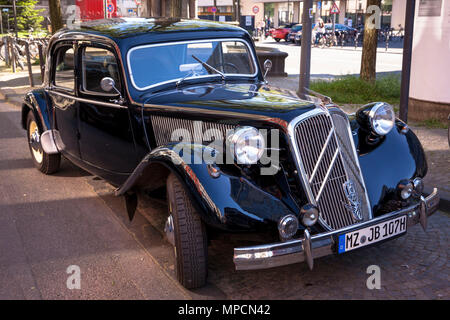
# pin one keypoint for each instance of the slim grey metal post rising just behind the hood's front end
(305, 58)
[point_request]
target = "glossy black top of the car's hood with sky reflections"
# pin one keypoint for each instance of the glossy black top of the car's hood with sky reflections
(232, 99)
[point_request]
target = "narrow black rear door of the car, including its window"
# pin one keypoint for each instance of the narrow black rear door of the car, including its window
(63, 99)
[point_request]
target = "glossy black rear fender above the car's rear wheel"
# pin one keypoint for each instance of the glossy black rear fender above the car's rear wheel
(37, 102)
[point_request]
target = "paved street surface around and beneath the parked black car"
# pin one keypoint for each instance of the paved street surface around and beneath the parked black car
(48, 223)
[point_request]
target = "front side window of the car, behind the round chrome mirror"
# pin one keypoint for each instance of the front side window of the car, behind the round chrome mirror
(98, 63)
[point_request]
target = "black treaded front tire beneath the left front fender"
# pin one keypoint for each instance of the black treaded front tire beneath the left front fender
(191, 247)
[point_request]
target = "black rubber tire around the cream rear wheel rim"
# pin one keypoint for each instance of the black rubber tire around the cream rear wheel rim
(48, 163)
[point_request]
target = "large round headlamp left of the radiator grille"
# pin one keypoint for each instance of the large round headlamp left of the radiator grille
(247, 145)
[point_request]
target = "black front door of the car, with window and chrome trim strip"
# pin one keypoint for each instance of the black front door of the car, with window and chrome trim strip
(106, 139)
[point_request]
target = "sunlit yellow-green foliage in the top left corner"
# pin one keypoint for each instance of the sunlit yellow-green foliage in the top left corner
(27, 15)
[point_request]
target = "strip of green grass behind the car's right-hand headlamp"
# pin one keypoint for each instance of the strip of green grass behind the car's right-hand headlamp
(353, 90)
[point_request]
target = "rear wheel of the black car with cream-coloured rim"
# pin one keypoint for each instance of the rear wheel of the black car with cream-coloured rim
(44, 162)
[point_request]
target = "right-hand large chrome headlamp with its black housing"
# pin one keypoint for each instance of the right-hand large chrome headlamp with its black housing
(378, 116)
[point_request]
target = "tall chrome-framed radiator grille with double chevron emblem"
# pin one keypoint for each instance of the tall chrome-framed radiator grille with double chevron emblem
(328, 164)
